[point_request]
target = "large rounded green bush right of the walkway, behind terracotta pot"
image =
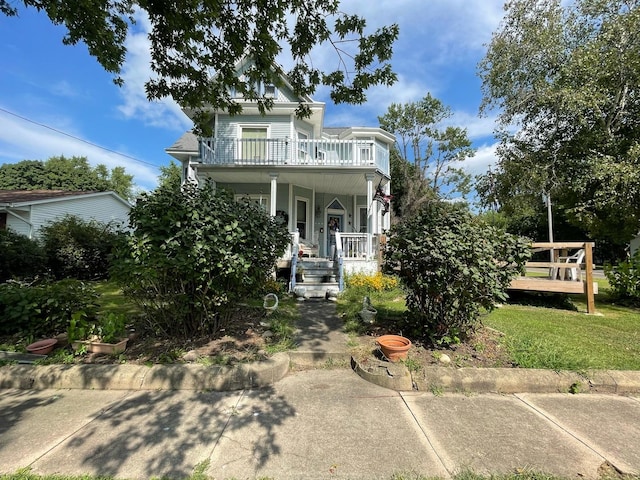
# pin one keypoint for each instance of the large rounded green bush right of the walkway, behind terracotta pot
(453, 265)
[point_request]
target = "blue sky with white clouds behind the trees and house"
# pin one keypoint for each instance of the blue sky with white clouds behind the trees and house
(49, 88)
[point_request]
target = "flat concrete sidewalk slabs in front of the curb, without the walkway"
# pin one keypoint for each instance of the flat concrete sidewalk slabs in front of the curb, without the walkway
(315, 424)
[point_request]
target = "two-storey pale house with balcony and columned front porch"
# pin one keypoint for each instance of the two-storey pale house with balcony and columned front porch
(330, 185)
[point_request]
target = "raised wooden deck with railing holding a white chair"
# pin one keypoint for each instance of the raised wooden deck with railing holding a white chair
(584, 285)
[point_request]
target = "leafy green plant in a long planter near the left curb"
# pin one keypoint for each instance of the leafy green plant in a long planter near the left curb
(106, 335)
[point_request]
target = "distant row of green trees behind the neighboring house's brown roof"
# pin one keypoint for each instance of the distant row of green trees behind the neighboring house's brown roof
(63, 173)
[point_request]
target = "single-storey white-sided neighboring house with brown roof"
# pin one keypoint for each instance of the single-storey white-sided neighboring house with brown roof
(27, 211)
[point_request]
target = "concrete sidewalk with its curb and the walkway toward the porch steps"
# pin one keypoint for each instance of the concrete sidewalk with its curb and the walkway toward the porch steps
(166, 421)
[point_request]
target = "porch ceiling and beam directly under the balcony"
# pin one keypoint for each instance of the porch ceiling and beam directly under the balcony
(321, 179)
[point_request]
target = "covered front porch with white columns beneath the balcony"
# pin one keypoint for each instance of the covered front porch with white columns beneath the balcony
(327, 210)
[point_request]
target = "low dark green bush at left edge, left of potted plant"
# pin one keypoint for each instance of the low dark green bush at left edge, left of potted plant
(45, 309)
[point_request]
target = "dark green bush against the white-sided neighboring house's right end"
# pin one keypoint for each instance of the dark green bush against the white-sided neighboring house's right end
(77, 248)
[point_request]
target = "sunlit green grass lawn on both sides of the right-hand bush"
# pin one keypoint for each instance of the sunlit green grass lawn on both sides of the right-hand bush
(547, 337)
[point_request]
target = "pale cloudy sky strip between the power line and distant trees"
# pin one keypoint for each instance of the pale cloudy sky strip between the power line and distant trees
(22, 140)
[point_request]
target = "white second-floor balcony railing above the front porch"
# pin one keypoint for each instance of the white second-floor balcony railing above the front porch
(257, 152)
